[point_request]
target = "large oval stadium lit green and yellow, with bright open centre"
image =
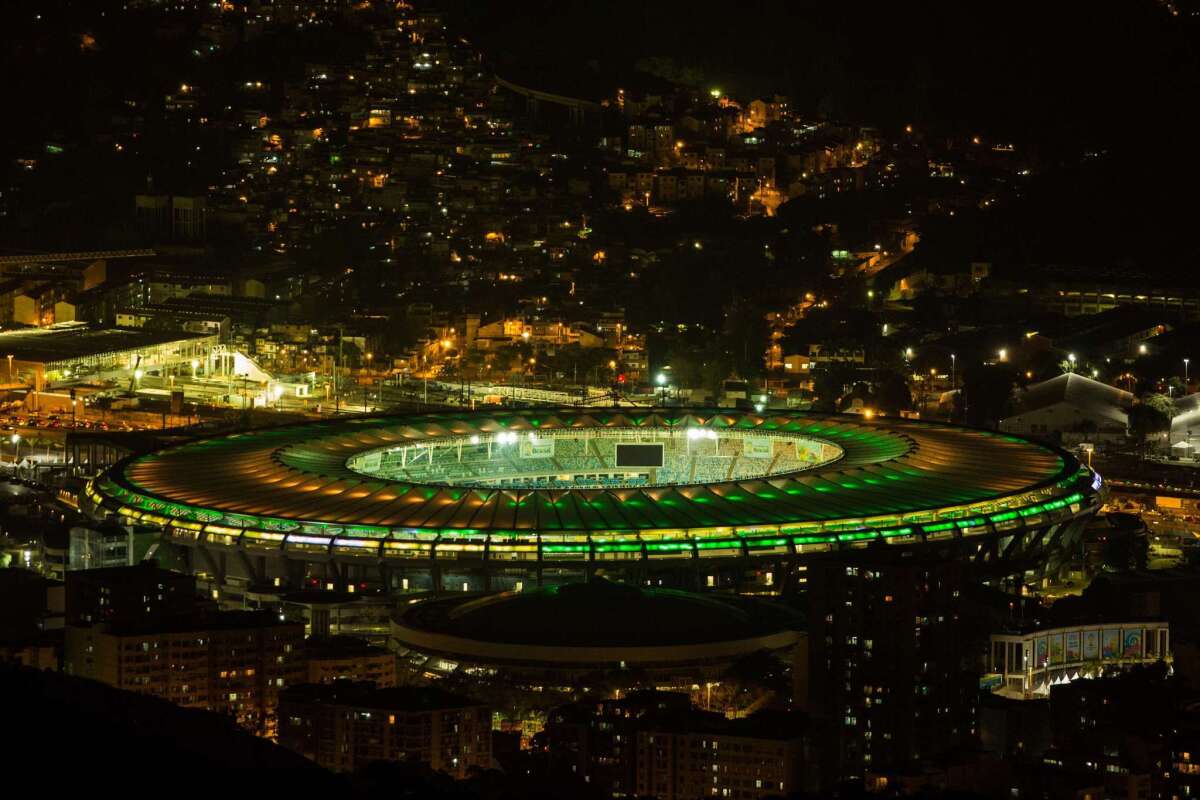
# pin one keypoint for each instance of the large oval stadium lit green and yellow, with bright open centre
(683, 498)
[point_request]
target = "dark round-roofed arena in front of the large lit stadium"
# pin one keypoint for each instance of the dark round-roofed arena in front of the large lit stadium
(591, 635)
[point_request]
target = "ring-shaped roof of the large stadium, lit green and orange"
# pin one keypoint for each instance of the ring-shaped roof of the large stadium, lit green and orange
(296, 480)
